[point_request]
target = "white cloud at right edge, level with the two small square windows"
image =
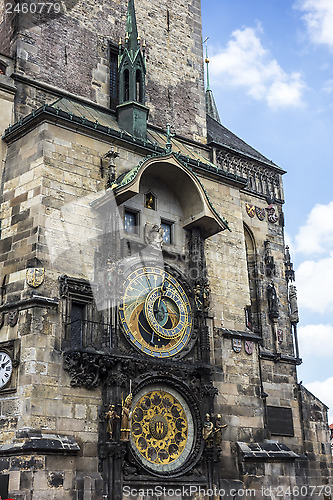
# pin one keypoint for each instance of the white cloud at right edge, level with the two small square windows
(316, 236)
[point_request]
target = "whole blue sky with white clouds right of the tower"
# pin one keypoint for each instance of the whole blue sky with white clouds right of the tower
(271, 72)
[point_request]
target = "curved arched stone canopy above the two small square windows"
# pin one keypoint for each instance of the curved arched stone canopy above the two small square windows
(197, 208)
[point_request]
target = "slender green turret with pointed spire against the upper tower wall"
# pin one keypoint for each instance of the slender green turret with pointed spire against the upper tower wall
(132, 114)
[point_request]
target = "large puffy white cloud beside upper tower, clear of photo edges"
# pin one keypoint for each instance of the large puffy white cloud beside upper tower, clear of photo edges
(246, 63)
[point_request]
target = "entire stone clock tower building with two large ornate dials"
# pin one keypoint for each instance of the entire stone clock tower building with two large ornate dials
(148, 314)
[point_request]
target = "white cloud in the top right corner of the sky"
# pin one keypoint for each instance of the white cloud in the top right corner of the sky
(318, 17)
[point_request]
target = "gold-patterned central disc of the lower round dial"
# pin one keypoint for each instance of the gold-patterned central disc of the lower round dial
(159, 427)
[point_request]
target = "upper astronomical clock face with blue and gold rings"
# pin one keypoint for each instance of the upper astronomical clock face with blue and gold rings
(156, 313)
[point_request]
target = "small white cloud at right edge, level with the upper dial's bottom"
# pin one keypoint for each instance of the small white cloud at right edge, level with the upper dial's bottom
(316, 340)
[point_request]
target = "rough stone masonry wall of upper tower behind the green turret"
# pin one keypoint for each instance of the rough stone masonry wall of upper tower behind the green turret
(71, 52)
